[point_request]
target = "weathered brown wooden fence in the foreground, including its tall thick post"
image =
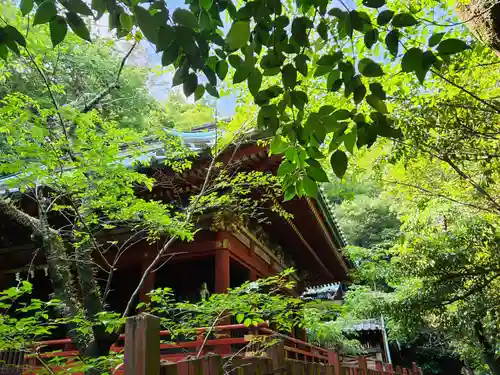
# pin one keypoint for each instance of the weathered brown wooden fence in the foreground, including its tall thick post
(142, 357)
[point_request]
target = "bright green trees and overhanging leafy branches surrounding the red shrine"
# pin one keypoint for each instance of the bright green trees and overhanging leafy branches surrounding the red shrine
(389, 108)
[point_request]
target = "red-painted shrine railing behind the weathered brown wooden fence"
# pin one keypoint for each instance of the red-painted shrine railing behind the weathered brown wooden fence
(229, 341)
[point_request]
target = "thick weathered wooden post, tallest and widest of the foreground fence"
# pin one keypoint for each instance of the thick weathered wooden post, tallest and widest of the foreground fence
(142, 345)
